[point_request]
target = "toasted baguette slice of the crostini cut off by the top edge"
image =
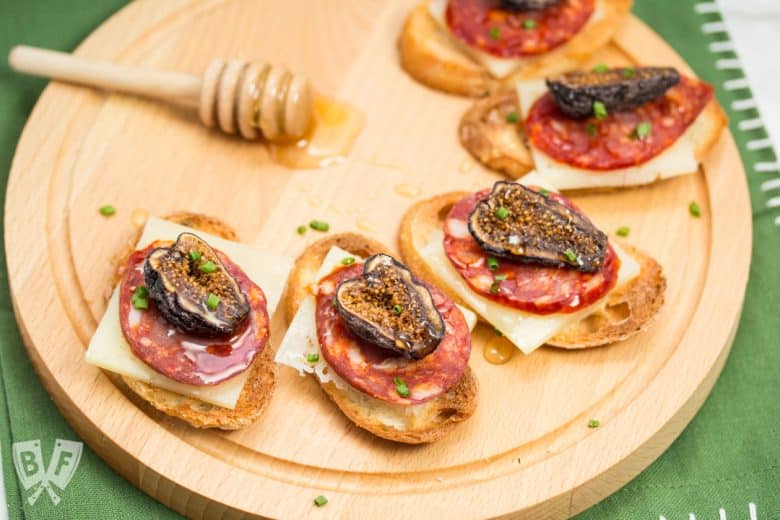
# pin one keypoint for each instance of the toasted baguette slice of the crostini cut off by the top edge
(430, 54)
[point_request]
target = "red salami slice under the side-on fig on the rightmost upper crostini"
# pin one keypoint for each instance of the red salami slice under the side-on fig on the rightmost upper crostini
(612, 142)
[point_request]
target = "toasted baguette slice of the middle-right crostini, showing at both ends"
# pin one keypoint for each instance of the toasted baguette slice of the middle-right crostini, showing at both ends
(627, 311)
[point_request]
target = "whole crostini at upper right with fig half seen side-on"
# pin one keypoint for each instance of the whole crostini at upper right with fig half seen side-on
(599, 129)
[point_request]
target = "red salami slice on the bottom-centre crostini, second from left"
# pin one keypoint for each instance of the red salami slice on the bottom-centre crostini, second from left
(371, 369)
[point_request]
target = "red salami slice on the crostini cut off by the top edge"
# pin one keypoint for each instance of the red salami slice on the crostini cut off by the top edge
(489, 27)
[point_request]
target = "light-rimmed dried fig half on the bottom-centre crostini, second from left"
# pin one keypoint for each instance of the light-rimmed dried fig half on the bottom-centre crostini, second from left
(390, 308)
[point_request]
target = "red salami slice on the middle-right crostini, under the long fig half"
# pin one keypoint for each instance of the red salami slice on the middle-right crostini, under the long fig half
(528, 287)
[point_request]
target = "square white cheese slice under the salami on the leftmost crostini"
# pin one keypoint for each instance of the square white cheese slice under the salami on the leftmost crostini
(109, 350)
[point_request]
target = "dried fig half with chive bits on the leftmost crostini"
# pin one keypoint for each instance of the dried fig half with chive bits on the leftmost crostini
(193, 290)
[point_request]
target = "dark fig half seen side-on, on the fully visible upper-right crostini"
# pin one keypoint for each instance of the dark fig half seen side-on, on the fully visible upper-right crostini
(618, 89)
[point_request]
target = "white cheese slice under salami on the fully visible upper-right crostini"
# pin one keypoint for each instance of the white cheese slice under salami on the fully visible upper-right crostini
(678, 159)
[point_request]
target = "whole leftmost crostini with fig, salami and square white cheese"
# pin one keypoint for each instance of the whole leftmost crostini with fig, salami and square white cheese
(187, 327)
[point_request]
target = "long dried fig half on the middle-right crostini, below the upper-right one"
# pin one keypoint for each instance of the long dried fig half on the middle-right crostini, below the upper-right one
(528, 226)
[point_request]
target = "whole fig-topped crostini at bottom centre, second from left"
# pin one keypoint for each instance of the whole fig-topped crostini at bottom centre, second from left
(390, 351)
